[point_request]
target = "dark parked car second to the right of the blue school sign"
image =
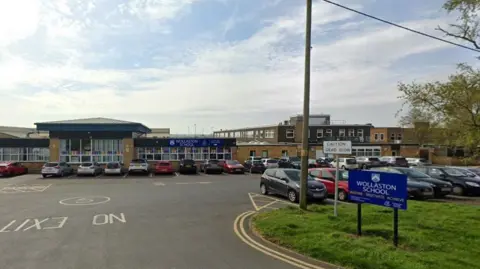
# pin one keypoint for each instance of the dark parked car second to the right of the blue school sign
(441, 188)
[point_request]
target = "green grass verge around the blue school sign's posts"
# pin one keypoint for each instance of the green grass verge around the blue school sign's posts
(432, 235)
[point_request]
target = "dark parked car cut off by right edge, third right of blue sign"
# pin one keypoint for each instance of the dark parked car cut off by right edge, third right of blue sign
(462, 184)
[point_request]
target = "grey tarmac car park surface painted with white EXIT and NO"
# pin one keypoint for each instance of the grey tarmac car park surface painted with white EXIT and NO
(137, 221)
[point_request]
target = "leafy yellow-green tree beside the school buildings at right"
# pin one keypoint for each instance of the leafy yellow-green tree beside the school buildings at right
(453, 107)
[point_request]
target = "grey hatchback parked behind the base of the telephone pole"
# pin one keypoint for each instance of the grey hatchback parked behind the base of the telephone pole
(286, 182)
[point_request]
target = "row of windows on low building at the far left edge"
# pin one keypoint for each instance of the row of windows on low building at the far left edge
(24, 154)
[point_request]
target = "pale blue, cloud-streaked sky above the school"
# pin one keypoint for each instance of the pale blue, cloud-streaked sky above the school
(214, 64)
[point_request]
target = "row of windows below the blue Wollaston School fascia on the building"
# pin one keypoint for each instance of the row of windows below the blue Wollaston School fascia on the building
(178, 153)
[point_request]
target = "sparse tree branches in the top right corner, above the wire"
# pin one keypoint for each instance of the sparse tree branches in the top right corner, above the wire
(467, 27)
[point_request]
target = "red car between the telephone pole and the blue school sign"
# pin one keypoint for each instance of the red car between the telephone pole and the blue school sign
(327, 177)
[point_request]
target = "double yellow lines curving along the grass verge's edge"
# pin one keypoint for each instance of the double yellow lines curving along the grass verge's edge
(239, 229)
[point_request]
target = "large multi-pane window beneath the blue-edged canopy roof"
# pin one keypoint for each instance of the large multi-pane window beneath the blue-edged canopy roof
(91, 150)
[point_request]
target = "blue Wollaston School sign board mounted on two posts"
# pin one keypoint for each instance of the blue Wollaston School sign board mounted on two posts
(378, 188)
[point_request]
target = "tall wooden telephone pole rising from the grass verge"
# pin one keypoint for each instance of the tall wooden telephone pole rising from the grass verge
(306, 108)
